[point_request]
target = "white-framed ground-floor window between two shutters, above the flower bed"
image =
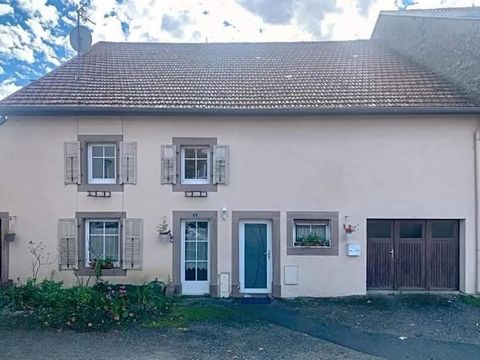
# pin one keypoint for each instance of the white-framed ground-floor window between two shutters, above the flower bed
(102, 241)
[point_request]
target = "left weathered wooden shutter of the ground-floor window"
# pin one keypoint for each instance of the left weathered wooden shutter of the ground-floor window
(67, 244)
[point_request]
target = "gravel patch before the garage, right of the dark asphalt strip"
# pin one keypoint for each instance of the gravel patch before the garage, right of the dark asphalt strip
(441, 317)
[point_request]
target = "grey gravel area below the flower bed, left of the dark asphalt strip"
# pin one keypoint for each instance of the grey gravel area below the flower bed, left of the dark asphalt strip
(200, 341)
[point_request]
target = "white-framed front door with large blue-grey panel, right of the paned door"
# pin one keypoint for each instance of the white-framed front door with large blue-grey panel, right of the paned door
(255, 256)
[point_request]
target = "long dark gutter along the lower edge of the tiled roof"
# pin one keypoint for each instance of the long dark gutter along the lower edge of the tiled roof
(13, 110)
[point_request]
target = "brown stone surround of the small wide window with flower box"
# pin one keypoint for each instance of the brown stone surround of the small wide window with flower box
(331, 216)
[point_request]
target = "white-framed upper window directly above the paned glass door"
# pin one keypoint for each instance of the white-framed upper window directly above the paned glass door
(195, 162)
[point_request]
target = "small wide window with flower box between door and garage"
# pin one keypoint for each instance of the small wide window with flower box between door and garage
(308, 233)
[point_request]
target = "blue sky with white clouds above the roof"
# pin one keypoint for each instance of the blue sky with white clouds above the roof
(34, 33)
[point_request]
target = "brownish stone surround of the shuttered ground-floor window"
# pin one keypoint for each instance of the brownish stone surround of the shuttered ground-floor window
(81, 217)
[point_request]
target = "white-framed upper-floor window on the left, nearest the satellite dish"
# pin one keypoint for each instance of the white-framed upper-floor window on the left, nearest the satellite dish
(102, 163)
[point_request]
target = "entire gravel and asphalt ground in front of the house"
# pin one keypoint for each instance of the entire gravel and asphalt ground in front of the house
(392, 327)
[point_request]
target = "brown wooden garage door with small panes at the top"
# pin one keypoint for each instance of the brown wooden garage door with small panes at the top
(412, 254)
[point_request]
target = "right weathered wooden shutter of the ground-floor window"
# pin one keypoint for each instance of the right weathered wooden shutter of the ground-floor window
(132, 244)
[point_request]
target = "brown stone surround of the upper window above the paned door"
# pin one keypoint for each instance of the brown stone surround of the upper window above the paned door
(179, 142)
